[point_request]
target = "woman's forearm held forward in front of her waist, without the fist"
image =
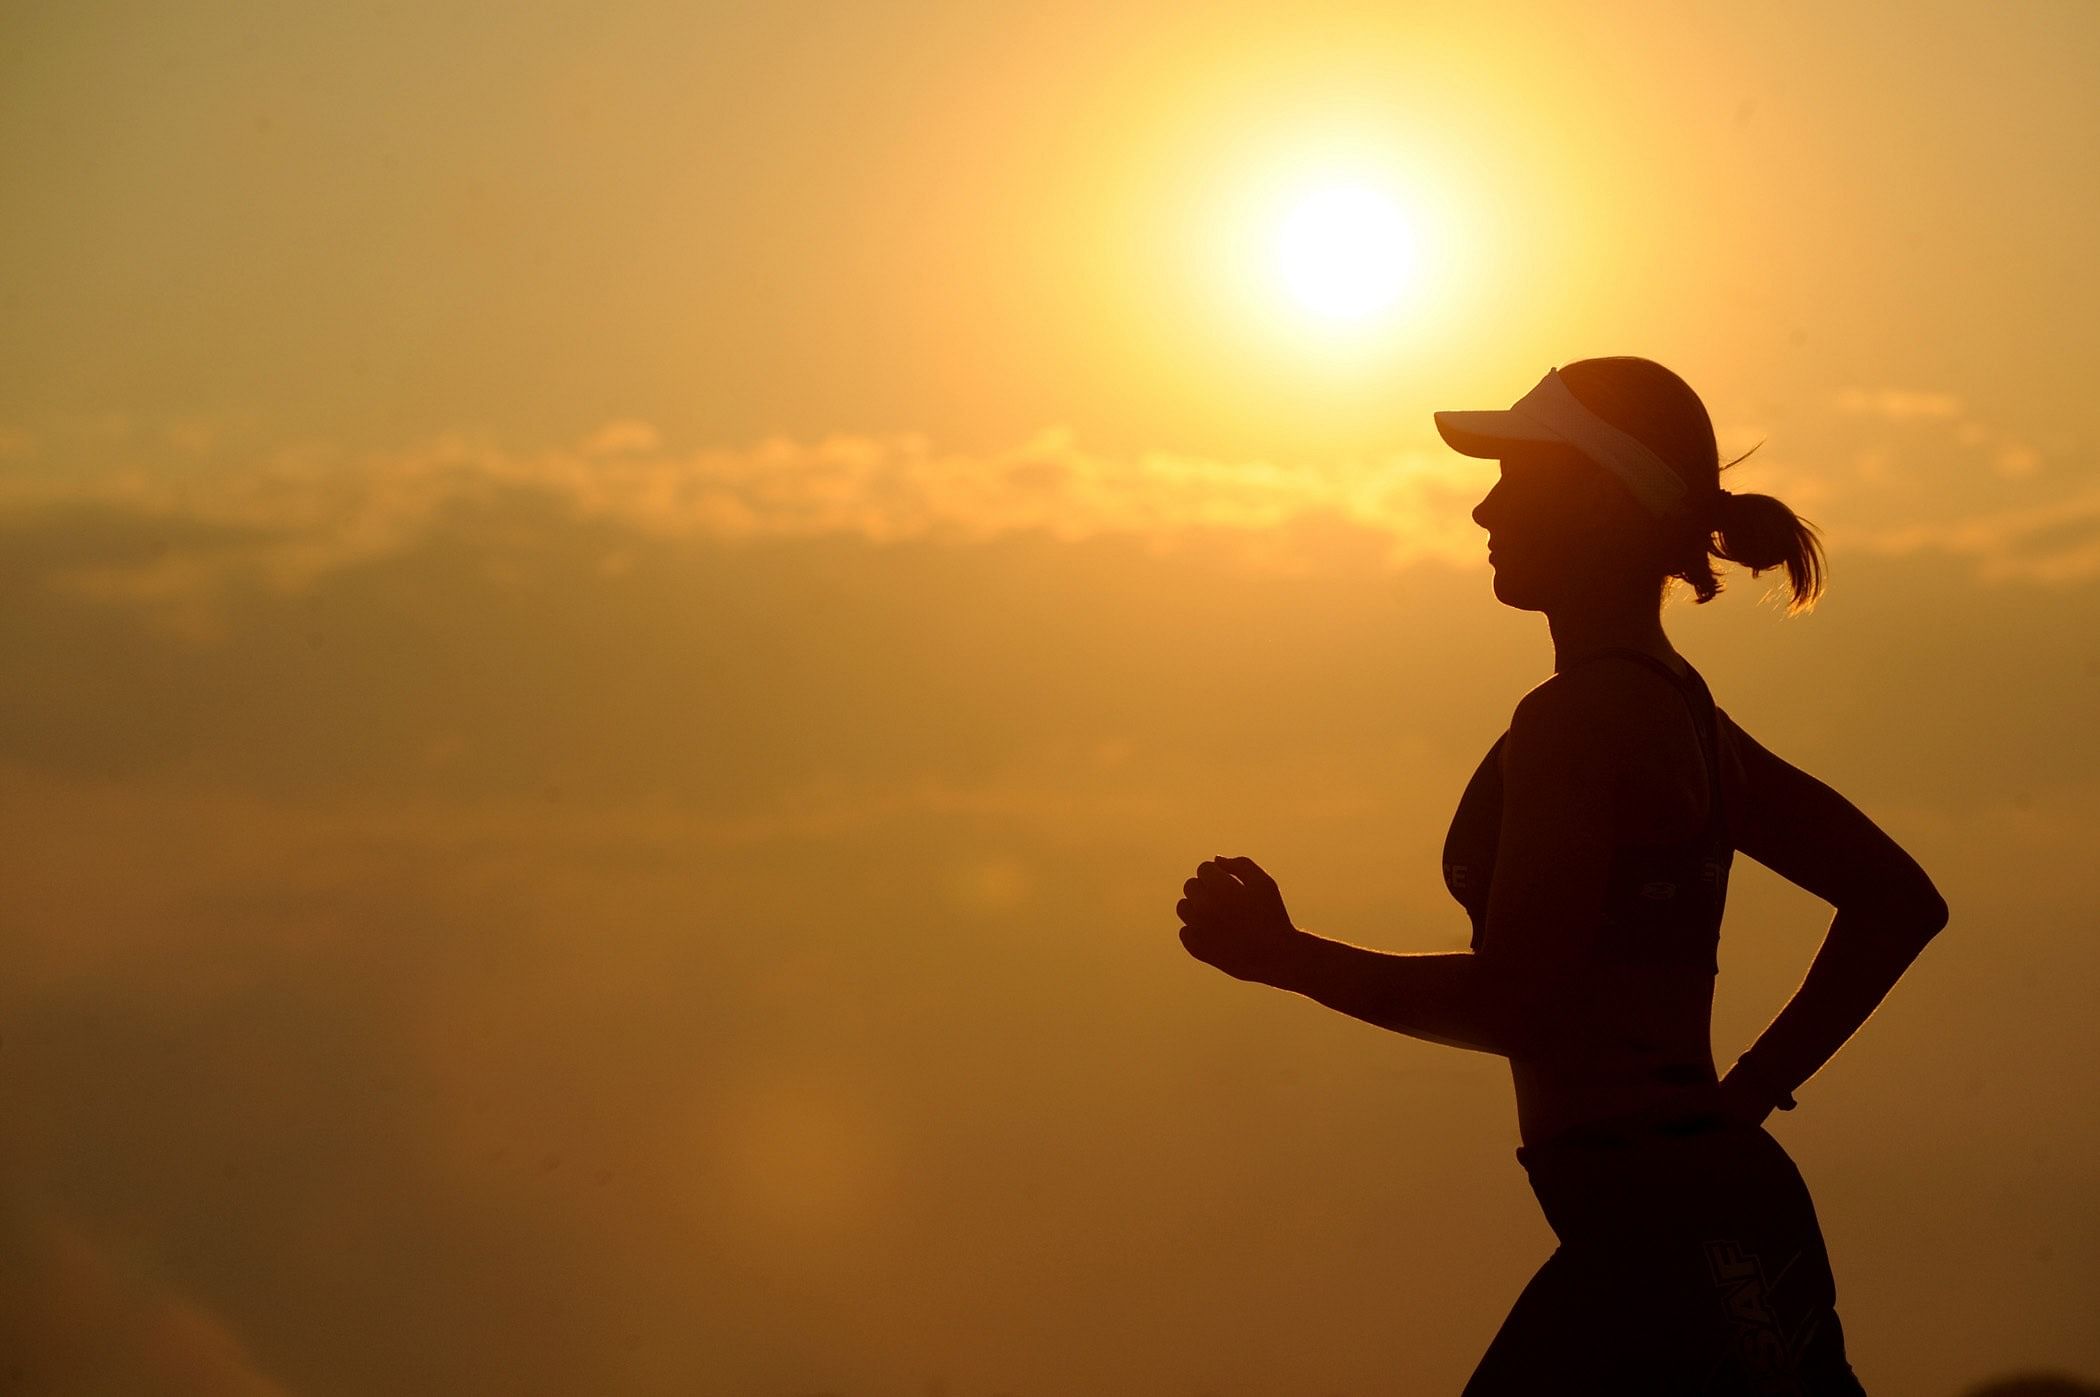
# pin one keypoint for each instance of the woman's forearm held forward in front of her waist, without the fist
(1440, 997)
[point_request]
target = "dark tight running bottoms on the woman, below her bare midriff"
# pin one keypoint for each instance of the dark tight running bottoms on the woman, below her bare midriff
(1689, 1262)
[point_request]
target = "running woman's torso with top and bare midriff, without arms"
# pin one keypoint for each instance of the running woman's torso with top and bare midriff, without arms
(1647, 1043)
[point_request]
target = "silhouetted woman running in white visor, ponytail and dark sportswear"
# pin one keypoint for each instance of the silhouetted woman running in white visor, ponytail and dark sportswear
(1593, 852)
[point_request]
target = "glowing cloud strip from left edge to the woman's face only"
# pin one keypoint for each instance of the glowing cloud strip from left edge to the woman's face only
(295, 514)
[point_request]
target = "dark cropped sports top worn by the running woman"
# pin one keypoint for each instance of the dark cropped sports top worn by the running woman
(1662, 900)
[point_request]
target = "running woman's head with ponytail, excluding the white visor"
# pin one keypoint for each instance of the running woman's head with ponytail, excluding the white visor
(1561, 522)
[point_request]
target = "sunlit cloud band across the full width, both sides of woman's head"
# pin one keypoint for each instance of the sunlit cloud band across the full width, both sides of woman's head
(217, 512)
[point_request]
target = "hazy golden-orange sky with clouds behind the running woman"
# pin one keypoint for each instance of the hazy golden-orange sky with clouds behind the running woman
(625, 623)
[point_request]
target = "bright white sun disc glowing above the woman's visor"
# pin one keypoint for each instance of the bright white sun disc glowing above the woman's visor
(1347, 253)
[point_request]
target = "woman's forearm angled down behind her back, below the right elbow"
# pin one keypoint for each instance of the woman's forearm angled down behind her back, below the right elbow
(1864, 955)
